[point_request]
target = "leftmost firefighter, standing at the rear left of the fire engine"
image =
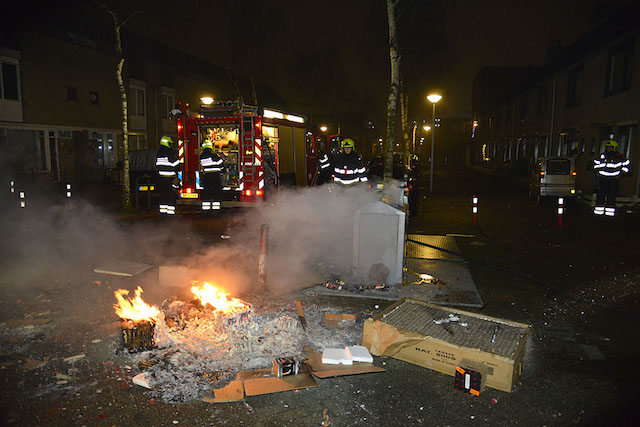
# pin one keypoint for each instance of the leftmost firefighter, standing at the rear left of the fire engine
(167, 163)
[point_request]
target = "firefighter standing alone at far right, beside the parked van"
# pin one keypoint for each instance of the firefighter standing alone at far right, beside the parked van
(609, 169)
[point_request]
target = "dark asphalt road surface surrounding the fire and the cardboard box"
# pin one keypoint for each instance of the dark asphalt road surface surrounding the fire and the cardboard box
(577, 286)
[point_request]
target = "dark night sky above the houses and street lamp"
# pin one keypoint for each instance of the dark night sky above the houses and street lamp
(331, 58)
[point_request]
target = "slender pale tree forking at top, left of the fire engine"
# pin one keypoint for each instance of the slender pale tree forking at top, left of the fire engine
(117, 26)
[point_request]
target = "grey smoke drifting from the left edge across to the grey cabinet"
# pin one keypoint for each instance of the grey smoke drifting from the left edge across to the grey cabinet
(310, 239)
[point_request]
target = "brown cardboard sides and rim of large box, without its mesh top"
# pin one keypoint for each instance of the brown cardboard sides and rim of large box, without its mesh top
(384, 339)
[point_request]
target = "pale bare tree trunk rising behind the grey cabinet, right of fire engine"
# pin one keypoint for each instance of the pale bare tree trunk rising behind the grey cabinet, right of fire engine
(392, 102)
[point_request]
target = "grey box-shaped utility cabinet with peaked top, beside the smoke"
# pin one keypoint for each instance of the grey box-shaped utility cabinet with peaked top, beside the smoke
(379, 238)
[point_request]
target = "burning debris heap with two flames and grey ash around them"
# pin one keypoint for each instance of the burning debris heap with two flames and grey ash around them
(202, 344)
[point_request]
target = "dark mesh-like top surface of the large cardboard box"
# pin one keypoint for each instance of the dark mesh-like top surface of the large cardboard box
(478, 333)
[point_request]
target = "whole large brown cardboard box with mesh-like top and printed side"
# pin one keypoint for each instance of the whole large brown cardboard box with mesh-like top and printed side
(428, 335)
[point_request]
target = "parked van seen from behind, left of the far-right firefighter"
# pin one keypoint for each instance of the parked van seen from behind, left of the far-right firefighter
(553, 177)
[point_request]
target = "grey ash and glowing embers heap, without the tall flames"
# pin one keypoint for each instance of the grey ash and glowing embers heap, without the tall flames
(198, 347)
